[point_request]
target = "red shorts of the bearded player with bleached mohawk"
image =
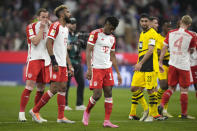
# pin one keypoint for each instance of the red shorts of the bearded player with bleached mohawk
(60, 76)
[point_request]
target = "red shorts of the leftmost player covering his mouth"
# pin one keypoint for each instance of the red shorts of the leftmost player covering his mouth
(35, 71)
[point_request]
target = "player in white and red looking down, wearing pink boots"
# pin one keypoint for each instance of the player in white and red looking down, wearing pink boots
(100, 57)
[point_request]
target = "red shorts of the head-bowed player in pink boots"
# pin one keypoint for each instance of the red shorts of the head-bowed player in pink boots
(101, 77)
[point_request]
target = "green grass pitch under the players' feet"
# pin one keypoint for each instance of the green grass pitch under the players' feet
(9, 107)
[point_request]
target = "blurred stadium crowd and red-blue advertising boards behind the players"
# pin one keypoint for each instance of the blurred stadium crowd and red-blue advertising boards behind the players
(15, 15)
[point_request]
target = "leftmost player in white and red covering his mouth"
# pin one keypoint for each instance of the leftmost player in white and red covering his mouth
(37, 59)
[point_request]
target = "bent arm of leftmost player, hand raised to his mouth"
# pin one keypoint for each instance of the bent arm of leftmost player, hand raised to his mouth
(36, 40)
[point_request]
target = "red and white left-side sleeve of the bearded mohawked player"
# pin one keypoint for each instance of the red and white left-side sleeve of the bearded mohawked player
(53, 31)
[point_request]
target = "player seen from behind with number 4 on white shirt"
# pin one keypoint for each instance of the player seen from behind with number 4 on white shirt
(181, 43)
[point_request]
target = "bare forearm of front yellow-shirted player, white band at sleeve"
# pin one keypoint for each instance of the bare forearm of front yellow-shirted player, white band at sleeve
(146, 56)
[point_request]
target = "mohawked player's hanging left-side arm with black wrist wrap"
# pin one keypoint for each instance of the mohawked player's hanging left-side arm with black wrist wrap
(49, 46)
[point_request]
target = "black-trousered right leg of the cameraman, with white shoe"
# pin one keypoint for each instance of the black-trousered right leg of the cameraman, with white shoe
(81, 85)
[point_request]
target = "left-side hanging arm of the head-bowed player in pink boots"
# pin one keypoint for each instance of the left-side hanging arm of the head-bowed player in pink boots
(89, 49)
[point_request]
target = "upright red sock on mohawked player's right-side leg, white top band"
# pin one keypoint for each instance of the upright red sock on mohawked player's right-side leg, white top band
(61, 104)
